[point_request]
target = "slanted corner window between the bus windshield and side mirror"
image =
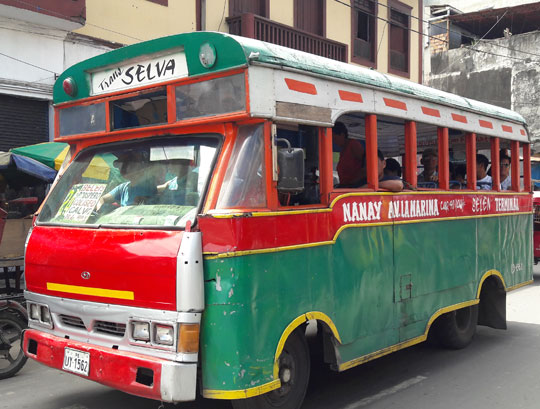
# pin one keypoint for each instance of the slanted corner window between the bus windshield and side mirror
(243, 185)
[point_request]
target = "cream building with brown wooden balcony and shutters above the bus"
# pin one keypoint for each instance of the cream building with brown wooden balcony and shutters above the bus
(385, 34)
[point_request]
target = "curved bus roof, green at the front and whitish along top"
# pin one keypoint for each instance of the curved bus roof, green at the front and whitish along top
(234, 51)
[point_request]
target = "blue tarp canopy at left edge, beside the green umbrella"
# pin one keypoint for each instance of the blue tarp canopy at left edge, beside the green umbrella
(20, 170)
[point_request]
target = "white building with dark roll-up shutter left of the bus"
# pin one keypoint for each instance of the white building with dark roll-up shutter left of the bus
(37, 43)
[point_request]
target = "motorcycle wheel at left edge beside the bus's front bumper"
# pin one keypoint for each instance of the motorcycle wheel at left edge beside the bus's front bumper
(12, 357)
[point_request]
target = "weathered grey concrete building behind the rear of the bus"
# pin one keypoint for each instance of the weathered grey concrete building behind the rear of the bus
(491, 55)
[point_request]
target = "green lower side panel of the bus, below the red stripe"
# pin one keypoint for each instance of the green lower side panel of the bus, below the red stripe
(359, 283)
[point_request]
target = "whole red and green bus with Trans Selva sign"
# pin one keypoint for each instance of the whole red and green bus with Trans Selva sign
(199, 225)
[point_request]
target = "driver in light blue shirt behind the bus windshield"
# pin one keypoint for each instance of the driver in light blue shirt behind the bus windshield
(140, 185)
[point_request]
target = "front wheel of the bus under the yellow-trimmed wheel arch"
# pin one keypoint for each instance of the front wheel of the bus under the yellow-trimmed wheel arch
(294, 368)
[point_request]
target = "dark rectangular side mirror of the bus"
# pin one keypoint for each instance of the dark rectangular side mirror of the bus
(290, 169)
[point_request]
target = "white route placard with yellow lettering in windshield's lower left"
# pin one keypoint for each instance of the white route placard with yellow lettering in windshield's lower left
(80, 202)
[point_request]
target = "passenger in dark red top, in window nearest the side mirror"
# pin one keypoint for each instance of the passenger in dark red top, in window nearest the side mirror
(351, 167)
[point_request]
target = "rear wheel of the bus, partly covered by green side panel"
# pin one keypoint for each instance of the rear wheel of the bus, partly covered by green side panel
(456, 329)
